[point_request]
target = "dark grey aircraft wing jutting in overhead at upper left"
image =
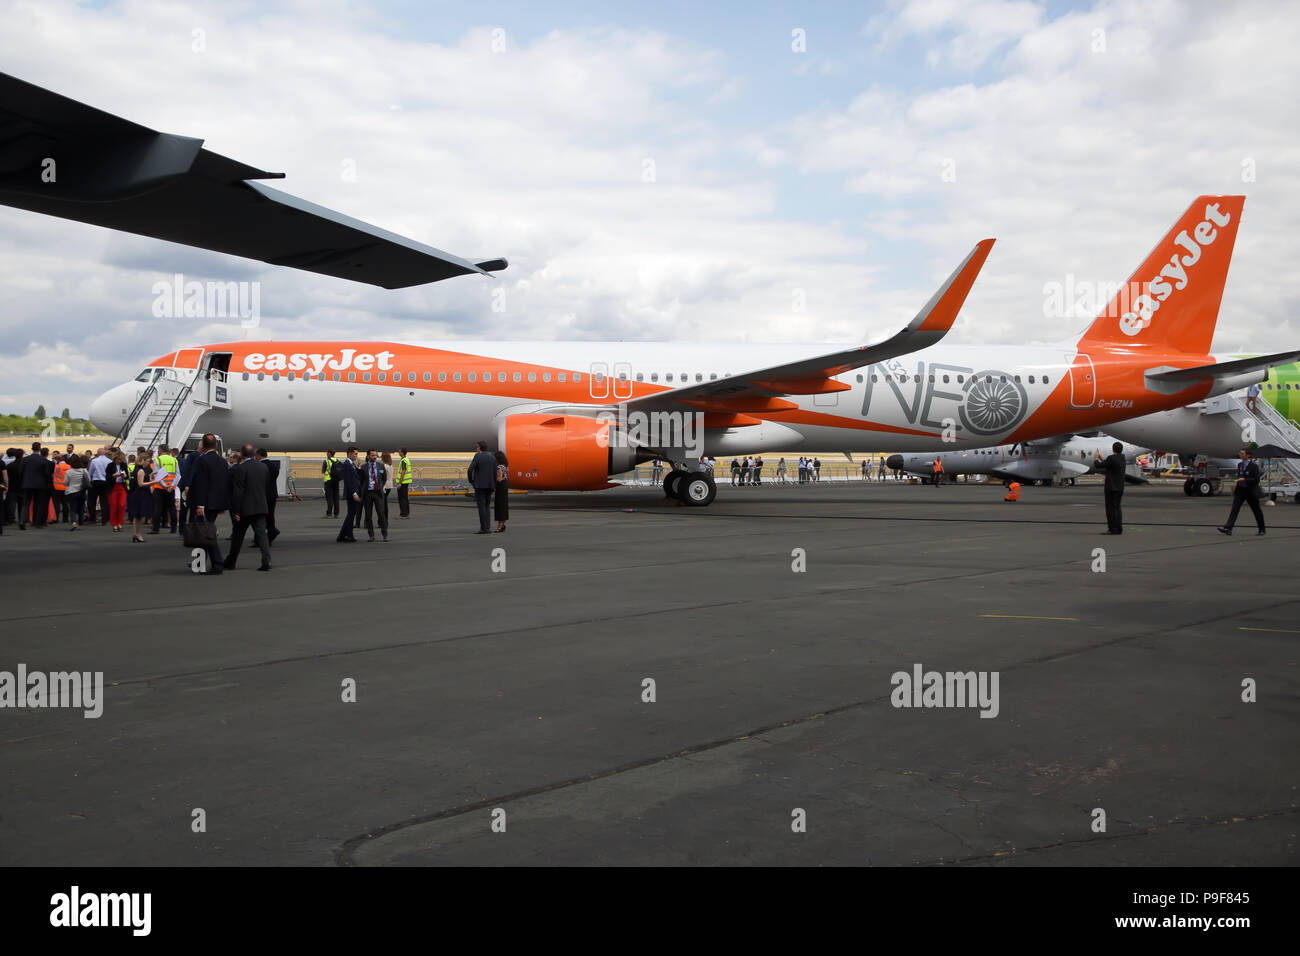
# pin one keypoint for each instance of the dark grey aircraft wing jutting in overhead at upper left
(63, 158)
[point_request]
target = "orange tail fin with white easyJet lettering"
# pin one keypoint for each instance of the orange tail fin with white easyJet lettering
(1172, 302)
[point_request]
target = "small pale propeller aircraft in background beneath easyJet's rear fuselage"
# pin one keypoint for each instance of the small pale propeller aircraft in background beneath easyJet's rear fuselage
(1046, 461)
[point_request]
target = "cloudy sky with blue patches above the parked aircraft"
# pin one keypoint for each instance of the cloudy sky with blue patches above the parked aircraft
(670, 171)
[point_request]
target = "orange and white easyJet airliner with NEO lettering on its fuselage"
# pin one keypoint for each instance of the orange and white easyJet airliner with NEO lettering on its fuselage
(571, 416)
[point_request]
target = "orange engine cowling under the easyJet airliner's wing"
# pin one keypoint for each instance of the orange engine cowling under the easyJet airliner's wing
(564, 452)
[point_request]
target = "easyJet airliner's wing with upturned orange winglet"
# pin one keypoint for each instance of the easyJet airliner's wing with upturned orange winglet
(757, 391)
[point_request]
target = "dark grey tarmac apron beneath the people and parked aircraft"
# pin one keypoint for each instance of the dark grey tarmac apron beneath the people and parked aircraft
(523, 691)
